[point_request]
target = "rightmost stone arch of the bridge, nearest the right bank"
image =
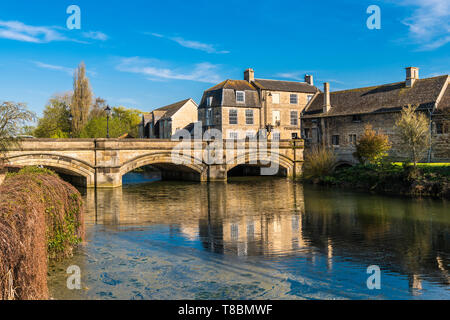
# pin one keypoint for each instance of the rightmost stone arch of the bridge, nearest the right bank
(256, 156)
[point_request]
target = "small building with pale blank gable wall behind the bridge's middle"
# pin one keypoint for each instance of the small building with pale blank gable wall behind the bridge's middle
(164, 122)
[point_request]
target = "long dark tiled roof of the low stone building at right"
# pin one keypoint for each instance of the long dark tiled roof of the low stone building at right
(383, 98)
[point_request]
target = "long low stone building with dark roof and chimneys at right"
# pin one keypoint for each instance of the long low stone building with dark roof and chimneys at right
(338, 118)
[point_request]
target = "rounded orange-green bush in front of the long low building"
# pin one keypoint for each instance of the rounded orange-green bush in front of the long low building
(372, 147)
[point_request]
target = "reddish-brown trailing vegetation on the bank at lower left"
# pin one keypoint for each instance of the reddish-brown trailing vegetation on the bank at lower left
(40, 220)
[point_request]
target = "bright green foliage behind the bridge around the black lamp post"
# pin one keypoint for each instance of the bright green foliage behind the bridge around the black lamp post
(122, 121)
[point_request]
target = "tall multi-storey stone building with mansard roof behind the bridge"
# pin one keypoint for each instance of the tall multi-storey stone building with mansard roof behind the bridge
(245, 108)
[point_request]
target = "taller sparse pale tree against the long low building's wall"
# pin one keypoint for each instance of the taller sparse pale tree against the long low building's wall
(413, 129)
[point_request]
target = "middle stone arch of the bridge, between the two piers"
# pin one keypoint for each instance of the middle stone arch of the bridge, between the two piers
(192, 168)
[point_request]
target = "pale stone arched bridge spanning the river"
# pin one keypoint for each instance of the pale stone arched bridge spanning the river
(103, 162)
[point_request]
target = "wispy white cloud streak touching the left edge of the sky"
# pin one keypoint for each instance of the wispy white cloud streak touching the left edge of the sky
(16, 30)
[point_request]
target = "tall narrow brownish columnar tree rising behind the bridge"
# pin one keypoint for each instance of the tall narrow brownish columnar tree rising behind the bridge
(81, 99)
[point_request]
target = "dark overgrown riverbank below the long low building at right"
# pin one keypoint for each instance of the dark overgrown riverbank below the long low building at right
(395, 179)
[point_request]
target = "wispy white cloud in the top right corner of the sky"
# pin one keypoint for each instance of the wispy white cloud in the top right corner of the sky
(429, 24)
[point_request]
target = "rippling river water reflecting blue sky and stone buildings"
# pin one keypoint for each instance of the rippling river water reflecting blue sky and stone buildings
(257, 238)
